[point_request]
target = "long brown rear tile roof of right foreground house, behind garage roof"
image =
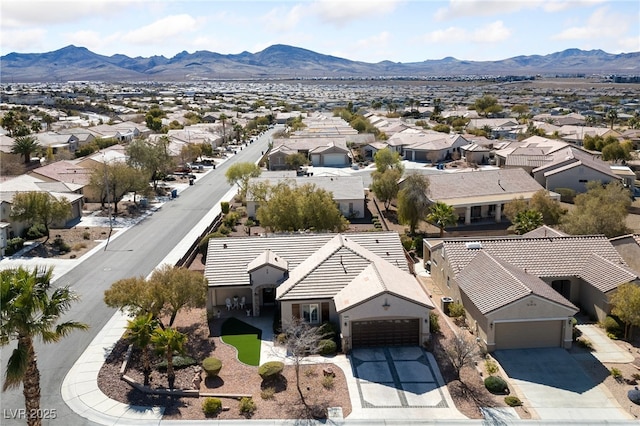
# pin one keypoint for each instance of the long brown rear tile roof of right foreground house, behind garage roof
(549, 257)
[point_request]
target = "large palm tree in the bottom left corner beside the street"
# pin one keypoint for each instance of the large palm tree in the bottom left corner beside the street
(29, 311)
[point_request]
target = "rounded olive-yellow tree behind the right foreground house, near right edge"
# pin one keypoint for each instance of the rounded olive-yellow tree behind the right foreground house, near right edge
(603, 209)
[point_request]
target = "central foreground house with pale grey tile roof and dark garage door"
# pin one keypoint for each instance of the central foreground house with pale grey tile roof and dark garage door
(360, 282)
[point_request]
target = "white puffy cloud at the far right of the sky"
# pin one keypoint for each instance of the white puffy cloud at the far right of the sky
(599, 25)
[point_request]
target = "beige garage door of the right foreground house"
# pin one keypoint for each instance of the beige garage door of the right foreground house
(534, 334)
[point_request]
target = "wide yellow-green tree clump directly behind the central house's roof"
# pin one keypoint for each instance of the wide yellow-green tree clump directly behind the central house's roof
(287, 207)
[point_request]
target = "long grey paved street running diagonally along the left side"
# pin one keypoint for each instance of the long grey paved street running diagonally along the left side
(136, 252)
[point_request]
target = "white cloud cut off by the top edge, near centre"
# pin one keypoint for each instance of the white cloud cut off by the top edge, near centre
(341, 12)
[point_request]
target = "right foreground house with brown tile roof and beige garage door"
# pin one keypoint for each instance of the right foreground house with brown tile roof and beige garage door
(522, 292)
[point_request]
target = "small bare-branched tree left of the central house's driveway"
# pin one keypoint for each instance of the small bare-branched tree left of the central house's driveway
(301, 341)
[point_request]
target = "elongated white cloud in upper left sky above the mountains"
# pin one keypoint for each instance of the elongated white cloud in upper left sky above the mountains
(162, 30)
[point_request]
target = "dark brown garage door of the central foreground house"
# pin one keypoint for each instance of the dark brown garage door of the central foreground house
(399, 332)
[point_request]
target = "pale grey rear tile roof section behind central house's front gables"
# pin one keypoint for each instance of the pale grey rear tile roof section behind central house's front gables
(228, 258)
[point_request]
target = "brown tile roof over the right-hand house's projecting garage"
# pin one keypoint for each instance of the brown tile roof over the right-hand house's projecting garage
(491, 283)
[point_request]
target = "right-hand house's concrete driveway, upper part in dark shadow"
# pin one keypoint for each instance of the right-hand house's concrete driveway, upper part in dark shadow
(555, 386)
